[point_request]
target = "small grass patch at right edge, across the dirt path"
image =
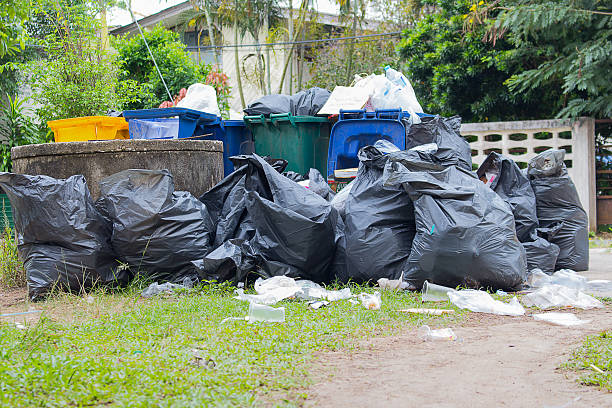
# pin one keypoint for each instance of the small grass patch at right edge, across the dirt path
(593, 360)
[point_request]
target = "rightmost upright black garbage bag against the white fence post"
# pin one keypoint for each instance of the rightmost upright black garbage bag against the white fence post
(558, 205)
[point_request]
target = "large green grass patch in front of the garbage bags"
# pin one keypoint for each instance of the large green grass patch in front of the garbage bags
(125, 351)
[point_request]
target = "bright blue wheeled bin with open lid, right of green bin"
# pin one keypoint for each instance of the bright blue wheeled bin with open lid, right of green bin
(358, 128)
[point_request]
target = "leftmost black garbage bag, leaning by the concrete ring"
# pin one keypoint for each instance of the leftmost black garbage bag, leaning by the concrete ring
(62, 239)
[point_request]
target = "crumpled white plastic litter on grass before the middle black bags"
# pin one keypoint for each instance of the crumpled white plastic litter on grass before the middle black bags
(273, 290)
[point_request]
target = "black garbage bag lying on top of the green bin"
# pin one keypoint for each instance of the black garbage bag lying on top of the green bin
(308, 103)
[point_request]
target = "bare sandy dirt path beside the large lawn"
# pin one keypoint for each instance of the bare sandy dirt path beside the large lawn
(497, 362)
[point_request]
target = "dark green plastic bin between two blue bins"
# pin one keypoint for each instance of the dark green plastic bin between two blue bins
(301, 140)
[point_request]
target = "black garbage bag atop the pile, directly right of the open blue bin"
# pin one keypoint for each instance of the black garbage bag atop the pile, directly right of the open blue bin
(452, 148)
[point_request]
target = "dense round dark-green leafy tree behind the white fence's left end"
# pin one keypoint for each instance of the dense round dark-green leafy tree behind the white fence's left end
(454, 71)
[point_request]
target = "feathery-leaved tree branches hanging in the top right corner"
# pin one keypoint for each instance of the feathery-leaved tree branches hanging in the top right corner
(573, 39)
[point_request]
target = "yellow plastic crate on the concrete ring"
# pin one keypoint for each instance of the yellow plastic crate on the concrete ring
(89, 128)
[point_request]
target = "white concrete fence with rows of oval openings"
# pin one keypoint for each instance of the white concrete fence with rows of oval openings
(518, 141)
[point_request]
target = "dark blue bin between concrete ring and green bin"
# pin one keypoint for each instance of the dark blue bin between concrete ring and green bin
(235, 135)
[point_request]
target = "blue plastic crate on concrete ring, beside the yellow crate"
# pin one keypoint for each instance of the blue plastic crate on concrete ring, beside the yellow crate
(162, 123)
